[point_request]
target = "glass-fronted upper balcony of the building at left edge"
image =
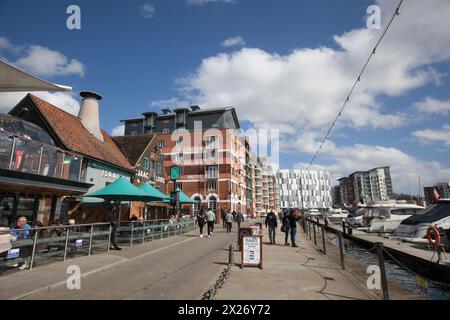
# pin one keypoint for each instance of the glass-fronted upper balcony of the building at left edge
(36, 158)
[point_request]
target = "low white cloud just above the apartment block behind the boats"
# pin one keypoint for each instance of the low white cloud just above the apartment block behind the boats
(405, 169)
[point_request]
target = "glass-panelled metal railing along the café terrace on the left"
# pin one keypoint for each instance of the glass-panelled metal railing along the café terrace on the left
(37, 246)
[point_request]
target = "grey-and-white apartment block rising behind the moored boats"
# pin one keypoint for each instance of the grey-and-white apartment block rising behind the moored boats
(366, 186)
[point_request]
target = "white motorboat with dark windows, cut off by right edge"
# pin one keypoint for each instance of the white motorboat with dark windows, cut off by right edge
(414, 229)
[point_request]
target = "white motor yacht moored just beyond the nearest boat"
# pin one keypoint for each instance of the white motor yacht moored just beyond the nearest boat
(385, 217)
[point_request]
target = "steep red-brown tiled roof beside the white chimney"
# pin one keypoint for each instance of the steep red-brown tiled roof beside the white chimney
(72, 133)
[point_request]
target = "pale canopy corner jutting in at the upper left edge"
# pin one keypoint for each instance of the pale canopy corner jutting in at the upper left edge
(13, 79)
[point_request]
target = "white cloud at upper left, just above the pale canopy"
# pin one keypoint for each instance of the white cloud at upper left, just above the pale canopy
(45, 62)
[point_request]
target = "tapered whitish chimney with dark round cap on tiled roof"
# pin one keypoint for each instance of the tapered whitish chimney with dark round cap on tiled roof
(89, 113)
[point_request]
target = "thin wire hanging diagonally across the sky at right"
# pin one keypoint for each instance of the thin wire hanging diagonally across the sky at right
(347, 100)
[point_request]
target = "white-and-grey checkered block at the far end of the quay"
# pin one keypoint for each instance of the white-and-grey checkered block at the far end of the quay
(304, 189)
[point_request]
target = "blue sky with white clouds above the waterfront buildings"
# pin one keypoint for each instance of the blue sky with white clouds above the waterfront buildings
(136, 62)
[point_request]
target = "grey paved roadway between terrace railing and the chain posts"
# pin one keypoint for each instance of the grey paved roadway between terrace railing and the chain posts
(177, 268)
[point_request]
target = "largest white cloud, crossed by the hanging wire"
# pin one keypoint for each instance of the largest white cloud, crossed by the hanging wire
(307, 87)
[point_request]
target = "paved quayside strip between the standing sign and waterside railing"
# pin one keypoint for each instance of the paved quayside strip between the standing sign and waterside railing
(292, 274)
